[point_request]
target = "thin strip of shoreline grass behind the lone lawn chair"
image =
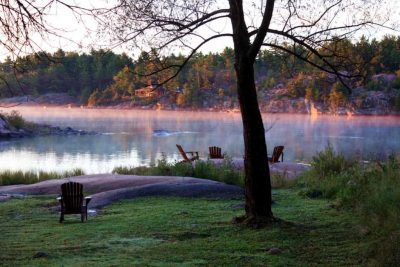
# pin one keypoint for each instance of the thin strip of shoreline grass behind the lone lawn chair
(31, 177)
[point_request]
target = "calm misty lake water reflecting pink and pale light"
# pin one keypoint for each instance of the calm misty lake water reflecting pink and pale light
(136, 138)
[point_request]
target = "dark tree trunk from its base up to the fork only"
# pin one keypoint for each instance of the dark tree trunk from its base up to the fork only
(257, 176)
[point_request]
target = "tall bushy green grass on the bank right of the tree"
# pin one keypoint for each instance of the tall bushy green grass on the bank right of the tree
(371, 191)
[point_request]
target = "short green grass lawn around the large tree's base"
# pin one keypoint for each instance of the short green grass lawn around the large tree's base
(180, 231)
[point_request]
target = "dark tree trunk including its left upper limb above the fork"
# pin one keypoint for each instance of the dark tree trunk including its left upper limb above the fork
(257, 176)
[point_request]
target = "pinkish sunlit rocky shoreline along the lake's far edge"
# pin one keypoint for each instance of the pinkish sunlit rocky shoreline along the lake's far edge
(272, 101)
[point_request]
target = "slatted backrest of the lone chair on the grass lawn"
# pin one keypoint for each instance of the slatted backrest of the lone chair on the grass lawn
(72, 194)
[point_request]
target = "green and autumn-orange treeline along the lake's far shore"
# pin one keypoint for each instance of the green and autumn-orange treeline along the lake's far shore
(105, 78)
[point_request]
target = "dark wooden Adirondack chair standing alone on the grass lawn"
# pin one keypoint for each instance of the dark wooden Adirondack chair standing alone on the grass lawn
(72, 200)
